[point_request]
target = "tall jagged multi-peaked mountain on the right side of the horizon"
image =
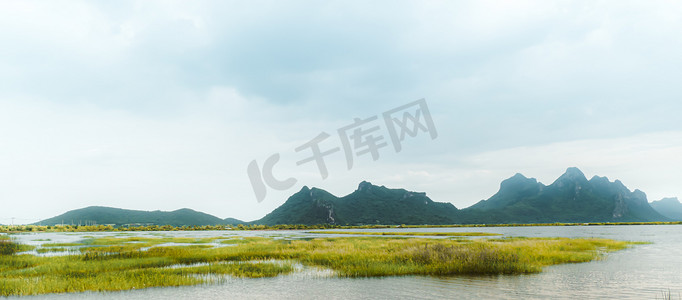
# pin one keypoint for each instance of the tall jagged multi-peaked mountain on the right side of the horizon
(571, 198)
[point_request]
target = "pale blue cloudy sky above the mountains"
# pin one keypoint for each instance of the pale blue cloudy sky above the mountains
(162, 105)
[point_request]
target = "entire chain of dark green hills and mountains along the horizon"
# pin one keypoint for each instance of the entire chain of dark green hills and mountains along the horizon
(571, 198)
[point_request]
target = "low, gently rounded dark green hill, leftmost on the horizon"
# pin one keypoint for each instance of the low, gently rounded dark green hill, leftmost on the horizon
(118, 216)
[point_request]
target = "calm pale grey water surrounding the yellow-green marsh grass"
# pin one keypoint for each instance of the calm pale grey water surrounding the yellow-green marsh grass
(643, 272)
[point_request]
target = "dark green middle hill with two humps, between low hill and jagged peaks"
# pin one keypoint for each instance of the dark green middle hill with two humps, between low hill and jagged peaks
(369, 204)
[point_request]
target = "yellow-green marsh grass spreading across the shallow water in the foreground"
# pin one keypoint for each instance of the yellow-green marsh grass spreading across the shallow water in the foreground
(121, 263)
